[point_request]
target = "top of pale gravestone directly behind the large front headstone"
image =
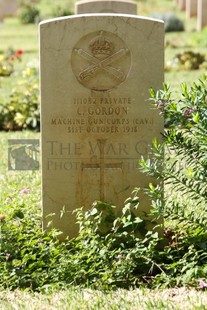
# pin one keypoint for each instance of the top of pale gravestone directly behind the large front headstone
(106, 6)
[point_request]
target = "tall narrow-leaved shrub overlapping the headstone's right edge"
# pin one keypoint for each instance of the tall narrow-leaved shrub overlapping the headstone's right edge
(184, 174)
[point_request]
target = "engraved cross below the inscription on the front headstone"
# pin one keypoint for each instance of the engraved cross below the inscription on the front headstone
(102, 166)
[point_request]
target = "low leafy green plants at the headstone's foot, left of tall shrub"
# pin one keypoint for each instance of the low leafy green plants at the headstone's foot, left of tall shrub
(30, 258)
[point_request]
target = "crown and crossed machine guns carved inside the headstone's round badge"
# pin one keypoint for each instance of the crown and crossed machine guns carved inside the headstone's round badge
(101, 58)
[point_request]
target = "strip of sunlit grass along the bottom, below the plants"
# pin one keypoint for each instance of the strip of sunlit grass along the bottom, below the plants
(75, 299)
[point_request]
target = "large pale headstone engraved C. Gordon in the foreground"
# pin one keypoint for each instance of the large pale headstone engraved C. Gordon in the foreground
(96, 122)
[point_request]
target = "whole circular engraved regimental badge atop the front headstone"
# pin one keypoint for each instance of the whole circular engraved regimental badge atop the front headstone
(101, 61)
